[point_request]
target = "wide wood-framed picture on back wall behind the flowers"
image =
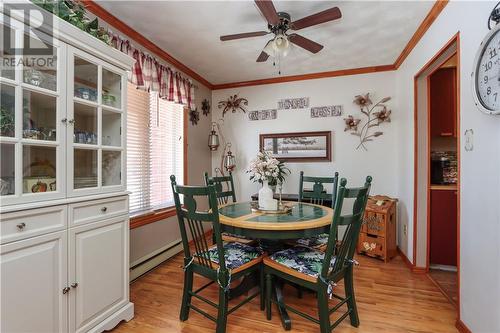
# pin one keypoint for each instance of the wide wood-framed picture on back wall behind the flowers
(298, 147)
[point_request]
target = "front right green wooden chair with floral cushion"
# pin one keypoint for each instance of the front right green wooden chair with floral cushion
(320, 271)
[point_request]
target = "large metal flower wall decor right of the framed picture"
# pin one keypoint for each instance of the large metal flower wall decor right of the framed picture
(376, 114)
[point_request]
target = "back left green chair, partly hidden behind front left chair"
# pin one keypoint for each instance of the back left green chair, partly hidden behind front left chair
(225, 193)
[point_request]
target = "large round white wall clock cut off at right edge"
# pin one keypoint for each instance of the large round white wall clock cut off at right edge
(486, 74)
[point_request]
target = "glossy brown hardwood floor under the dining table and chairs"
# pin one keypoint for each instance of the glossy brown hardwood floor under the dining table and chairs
(390, 299)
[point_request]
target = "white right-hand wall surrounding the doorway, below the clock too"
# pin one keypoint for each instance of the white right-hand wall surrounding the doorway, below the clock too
(480, 190)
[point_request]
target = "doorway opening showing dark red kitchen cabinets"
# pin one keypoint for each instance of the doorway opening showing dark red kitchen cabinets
(442, 193)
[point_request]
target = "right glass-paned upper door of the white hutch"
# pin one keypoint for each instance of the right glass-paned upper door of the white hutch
(95, 119)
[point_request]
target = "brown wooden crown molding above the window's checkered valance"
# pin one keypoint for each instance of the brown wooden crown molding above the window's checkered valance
(112, 20)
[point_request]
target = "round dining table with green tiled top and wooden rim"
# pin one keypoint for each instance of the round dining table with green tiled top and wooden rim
(270, 230)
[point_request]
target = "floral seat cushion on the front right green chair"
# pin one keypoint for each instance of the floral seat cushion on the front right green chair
(302, 259)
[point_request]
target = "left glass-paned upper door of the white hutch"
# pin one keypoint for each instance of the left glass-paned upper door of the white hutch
(32, 105)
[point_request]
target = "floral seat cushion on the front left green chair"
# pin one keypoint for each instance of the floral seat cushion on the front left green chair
(235, 254)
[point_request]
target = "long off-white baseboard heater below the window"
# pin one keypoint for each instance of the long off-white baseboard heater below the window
(143, 265)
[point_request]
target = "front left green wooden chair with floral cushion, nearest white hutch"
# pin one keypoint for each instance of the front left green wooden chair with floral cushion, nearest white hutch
(219, 263)
